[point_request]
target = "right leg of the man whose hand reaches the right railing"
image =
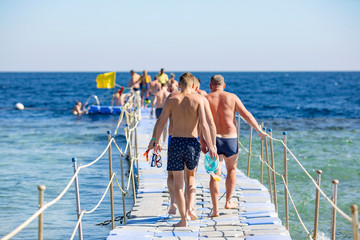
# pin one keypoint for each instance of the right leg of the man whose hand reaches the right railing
(231, 165)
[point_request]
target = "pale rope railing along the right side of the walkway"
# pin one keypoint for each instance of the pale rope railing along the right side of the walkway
(335, 207)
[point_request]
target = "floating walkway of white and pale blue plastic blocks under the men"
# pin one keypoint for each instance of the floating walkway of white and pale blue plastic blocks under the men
(254, 219)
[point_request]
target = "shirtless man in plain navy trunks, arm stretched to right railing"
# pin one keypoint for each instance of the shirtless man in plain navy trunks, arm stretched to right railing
(223, 106)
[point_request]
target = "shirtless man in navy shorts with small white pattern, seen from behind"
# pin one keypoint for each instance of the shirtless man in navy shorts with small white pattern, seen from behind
(187, 112)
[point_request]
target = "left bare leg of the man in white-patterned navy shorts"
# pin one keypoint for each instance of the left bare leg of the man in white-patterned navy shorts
(180, 200)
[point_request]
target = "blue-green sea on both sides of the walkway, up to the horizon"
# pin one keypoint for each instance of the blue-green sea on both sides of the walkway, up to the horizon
(319, 110)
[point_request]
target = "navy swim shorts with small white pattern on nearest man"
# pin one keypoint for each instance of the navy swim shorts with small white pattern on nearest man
(183, 150)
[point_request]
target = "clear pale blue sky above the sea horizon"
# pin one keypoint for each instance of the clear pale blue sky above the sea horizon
(234, 35)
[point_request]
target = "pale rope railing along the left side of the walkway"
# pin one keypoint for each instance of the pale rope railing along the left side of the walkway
(132, 117)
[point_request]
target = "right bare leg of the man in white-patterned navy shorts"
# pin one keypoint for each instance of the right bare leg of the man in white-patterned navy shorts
(190, 192)
